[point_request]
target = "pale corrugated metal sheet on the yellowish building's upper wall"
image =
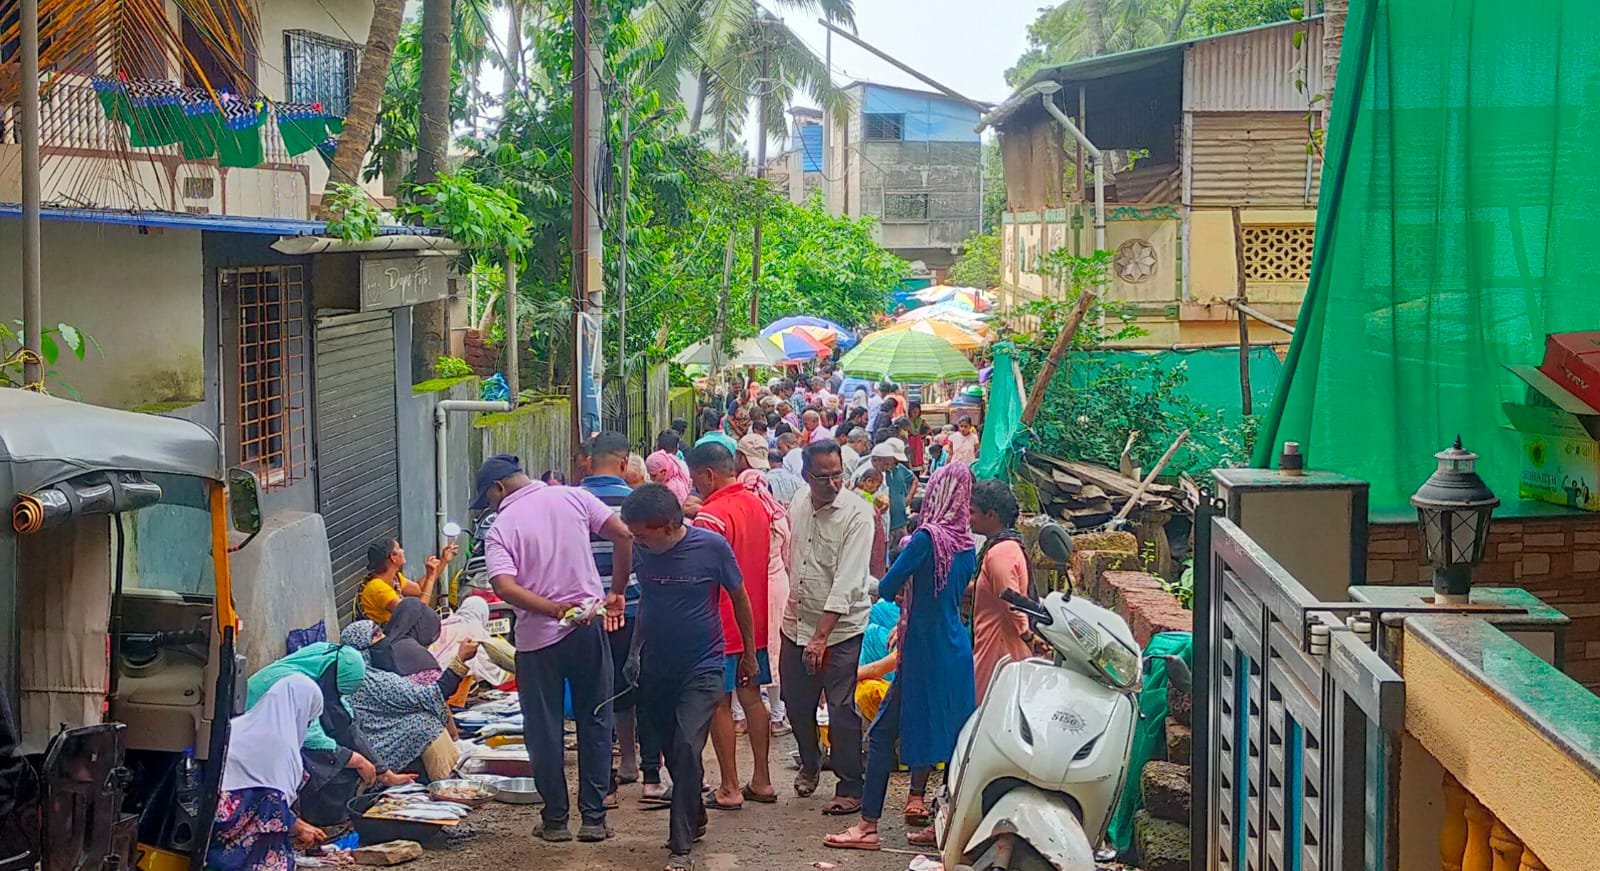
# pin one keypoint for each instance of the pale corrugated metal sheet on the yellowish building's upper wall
(1254, 71)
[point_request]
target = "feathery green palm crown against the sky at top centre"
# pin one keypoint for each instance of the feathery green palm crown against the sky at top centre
(719, 42)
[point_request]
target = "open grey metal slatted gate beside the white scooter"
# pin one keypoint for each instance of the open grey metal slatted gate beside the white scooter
(1298, 720)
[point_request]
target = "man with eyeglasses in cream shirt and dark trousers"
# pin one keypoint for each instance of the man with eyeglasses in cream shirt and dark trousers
(831, 547)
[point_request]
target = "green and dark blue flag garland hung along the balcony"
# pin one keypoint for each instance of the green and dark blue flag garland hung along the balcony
(161, 113)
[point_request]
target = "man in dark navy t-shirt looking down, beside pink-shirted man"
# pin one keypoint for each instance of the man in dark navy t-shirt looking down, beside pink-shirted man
(682, 572)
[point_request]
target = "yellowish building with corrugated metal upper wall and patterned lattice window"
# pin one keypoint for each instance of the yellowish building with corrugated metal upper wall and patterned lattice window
(1220, 127)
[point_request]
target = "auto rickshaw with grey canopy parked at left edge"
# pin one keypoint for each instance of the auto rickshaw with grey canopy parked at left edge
(118, 635)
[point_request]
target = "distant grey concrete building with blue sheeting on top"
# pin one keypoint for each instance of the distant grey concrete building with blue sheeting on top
(913, 161)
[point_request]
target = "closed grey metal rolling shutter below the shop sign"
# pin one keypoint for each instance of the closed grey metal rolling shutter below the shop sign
(358, 454)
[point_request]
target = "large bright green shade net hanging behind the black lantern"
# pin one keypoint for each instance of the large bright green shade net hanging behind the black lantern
(1455, 230)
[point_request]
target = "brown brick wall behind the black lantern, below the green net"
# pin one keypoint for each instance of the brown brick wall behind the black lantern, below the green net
(1556, 560)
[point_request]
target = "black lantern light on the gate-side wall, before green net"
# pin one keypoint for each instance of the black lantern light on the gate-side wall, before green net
(1454, 508)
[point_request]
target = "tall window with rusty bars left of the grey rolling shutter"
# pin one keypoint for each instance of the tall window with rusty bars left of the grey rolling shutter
(271, 419)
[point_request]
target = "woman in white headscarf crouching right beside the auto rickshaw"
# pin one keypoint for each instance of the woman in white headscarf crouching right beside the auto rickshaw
(255, 821)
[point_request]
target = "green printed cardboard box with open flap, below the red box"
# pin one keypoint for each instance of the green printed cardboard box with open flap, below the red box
(1561, 444)
